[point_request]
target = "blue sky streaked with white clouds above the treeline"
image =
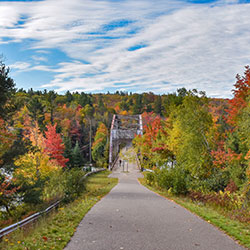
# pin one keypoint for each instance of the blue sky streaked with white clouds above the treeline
(126, 45)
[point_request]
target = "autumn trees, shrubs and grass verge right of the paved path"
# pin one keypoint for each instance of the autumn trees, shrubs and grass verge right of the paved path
(200, 152)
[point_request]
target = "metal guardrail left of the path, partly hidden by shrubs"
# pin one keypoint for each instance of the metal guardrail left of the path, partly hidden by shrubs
(33, 217)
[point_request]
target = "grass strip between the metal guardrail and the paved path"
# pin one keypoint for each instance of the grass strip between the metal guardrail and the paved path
(56, 229)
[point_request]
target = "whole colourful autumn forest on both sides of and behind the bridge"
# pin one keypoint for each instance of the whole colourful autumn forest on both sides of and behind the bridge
(196, 146)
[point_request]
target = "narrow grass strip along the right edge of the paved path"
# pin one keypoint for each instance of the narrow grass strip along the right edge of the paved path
(237, 230)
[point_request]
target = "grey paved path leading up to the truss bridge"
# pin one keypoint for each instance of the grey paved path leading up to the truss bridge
(131, 217)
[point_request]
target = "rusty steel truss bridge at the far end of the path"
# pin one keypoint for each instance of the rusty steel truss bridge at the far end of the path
(123, 130)
